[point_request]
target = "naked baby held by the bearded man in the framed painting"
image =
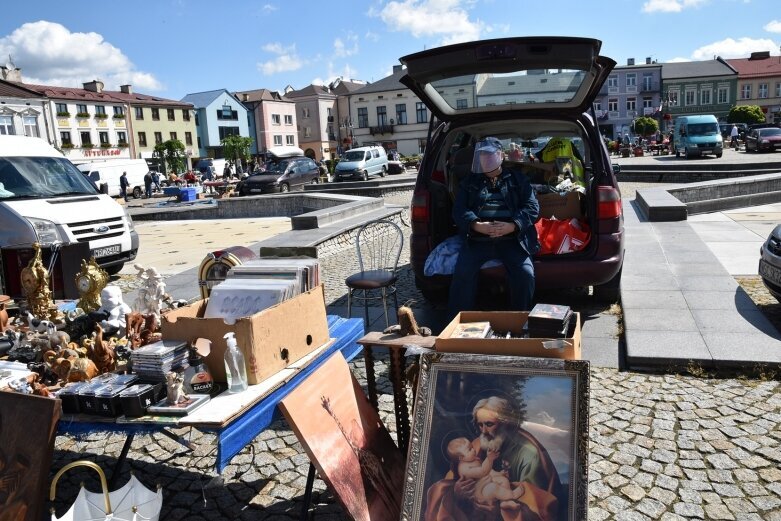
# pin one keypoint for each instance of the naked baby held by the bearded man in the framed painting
(491, 485)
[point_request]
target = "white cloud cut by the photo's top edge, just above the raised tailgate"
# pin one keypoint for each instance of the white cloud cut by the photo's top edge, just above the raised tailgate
(447, 19)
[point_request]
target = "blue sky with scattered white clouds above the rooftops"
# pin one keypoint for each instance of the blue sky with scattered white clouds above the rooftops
(174, 47)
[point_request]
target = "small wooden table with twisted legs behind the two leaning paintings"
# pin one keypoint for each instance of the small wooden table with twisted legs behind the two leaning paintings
(395, 344)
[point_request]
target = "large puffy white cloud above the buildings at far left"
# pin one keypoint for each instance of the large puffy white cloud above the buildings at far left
(48, 53)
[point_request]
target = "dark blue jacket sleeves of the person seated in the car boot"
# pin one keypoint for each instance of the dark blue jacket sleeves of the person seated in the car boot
(519, 197)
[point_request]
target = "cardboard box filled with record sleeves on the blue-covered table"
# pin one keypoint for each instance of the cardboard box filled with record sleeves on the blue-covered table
(270, 340)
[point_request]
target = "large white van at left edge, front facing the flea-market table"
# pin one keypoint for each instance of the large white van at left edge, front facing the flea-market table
(45, 199)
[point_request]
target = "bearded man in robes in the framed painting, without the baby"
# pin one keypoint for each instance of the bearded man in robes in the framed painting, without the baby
(521, 457)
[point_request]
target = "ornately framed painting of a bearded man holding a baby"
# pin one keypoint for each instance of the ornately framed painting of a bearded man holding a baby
(498, 438)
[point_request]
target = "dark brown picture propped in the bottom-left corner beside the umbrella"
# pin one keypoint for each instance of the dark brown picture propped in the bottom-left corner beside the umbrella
(28, 426)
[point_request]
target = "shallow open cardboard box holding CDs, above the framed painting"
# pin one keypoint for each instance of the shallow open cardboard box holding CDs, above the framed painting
(506, 321)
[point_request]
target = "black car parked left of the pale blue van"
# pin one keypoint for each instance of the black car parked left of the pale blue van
(281, 176)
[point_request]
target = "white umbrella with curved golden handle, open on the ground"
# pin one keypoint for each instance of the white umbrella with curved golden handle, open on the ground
(133, 502)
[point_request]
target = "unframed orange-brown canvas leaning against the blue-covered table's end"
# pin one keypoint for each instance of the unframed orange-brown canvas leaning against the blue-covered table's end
(346, 441)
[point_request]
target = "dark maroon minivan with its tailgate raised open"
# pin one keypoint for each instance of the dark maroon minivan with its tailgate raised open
(513, 107)
